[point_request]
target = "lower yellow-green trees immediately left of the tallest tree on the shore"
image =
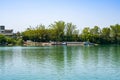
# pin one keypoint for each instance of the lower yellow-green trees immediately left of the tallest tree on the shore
(37, 34)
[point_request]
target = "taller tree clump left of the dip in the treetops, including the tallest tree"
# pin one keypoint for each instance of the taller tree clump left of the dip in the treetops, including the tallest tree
(58, 31)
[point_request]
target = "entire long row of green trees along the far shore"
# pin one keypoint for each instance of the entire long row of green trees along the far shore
(61, 31)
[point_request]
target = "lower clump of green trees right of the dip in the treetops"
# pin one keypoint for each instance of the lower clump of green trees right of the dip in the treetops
(108, 35)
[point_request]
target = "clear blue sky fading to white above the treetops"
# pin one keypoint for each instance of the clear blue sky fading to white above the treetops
(20, 14)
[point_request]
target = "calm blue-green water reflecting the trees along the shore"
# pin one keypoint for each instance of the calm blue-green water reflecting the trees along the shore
(60, 63)
